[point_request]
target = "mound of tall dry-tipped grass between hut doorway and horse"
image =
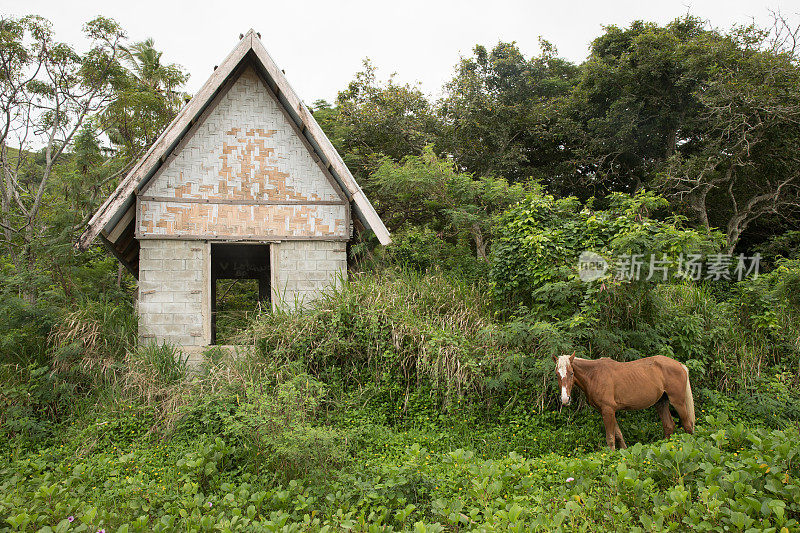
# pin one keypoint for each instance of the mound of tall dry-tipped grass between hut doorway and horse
(392, 326)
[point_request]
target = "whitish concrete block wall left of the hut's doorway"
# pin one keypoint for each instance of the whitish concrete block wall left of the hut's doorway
(173, 292)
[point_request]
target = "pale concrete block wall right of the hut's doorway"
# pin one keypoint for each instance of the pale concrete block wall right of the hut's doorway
(305, 268)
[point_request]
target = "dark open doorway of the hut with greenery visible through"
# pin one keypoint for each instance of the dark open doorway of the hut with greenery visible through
(240, 288)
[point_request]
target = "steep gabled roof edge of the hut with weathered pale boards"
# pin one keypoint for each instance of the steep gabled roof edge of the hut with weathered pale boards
(115, 221)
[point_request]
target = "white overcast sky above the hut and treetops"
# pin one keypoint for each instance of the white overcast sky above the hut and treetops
(320, 44)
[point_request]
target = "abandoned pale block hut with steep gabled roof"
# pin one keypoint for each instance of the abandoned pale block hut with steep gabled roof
(243, 184)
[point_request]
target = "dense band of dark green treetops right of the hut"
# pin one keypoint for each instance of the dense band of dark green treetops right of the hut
(706, 117)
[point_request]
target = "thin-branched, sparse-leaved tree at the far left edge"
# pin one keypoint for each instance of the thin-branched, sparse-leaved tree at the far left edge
(47, 93)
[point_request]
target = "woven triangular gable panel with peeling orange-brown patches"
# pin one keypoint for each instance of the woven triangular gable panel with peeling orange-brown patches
(245, 151)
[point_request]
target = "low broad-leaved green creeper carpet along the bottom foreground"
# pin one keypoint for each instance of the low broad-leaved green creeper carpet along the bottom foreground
(727, 477)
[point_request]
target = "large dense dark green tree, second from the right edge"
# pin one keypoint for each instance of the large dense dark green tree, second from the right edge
(636, 102)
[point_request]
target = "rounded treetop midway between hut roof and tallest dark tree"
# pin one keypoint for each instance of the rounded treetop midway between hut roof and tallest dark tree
(499, 112)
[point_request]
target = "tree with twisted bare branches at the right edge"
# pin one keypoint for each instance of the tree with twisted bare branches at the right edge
(744, 162)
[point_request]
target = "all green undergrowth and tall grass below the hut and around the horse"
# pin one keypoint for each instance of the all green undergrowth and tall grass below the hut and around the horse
(398, 403)
